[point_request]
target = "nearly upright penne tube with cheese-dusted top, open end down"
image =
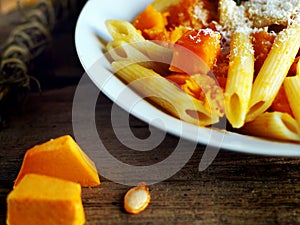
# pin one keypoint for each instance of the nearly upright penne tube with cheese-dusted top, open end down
(239, 80)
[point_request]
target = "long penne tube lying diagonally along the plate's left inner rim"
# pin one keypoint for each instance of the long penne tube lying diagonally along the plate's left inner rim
(162, 92)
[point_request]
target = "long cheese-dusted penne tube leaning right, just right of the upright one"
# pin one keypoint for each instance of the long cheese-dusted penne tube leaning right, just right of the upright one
(274, 70)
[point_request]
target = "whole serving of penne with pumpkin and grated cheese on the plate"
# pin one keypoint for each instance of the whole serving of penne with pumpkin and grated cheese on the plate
(203, 60)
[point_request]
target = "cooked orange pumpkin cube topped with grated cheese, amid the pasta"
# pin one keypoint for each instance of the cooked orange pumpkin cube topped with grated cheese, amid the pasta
(196, 51)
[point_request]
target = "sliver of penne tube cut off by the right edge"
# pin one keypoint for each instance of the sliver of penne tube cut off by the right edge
(292, 90)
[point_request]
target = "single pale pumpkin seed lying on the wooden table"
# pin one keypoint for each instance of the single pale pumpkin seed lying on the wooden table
(137, 199)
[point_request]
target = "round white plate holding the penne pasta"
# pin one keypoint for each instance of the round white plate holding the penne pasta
(90, 26)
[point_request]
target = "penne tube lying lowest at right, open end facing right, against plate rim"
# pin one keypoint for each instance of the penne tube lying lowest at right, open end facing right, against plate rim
(274, 125)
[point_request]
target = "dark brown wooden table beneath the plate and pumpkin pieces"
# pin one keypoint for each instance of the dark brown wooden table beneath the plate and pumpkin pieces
(235, 189)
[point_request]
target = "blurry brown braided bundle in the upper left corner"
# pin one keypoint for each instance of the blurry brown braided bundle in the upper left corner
(28, 40)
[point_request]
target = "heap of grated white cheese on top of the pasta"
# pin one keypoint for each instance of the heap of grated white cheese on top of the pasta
(254, 15)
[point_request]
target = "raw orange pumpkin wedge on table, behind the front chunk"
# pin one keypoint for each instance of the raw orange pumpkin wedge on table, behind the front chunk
(62, 158)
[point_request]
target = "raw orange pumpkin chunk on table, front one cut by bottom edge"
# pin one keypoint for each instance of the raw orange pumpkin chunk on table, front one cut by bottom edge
(45, 200)
